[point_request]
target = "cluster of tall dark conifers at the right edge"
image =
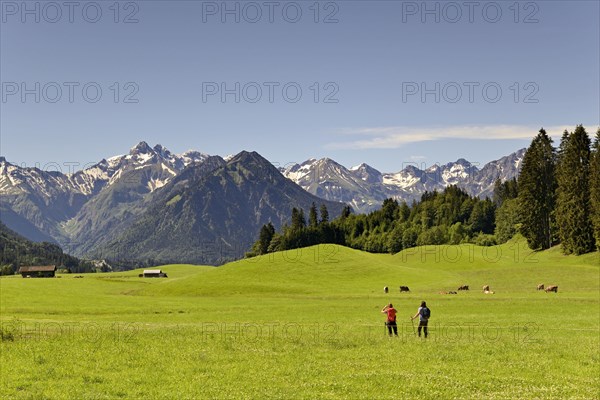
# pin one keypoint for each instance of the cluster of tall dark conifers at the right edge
(559, 192)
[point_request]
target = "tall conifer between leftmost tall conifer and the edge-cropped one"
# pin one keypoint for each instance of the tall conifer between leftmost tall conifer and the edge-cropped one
(573, 206)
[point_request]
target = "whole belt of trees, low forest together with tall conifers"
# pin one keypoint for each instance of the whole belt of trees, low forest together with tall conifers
(556, 199)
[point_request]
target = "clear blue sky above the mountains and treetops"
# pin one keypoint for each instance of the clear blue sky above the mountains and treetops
(395, 85)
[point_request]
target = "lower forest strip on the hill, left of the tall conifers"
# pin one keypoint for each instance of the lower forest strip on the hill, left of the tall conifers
(451, 216)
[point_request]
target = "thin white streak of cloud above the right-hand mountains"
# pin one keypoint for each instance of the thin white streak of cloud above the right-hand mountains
(398, 136)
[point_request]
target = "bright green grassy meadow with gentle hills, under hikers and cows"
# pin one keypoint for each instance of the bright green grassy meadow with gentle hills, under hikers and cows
(306, 324)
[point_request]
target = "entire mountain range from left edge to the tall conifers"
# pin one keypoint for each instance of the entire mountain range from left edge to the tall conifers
(151, 204)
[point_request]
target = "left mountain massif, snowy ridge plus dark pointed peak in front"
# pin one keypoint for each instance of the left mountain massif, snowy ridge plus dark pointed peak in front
(153, 205)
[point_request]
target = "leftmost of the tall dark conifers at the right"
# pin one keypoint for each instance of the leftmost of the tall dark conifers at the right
(536, 197)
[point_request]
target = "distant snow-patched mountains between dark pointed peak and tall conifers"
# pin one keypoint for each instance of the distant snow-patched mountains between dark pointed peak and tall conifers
(365, 188)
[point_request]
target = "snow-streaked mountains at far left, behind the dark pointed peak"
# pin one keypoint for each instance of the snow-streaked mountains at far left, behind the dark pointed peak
(45, 205)
